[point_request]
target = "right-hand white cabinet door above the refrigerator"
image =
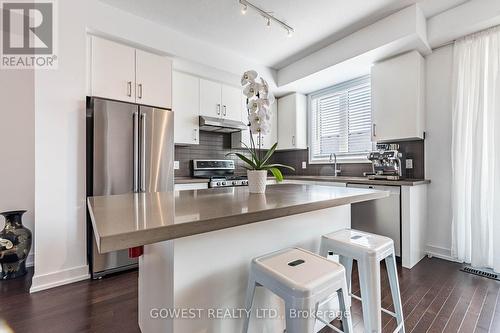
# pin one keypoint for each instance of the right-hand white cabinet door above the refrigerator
(153, 79)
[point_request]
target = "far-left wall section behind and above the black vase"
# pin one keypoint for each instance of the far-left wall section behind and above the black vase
(17, 144)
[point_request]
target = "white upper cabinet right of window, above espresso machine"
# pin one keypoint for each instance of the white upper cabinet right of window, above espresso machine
(398, 98)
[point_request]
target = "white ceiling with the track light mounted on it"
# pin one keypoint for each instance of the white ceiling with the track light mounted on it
(317, 23)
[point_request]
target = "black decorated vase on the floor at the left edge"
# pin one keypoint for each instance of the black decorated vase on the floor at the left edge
(15, 245)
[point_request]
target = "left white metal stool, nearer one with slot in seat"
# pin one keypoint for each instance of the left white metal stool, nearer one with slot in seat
(304, 280)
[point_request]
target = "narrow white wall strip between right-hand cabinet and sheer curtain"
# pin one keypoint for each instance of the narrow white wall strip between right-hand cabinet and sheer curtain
(439, 67)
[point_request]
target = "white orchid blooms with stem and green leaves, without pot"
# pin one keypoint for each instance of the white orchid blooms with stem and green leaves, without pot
(259, 101)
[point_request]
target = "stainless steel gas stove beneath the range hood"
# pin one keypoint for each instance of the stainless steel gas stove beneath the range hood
(220, 172)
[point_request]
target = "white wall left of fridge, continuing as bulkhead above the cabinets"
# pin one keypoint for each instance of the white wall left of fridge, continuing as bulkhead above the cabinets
(60, 124)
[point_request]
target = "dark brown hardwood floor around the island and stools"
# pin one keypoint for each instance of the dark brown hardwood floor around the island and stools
(437, 297)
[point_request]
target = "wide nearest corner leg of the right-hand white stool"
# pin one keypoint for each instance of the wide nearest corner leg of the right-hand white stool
(369, 277)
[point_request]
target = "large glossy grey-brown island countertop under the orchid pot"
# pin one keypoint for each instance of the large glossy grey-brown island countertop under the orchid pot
(135, 219)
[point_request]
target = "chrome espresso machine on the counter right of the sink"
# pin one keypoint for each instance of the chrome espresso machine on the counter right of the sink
(386, 162)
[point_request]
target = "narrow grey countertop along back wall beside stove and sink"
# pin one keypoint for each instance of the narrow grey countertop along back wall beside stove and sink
(339, 179)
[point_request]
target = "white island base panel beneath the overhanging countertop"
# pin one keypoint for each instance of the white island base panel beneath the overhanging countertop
(207, 273)
